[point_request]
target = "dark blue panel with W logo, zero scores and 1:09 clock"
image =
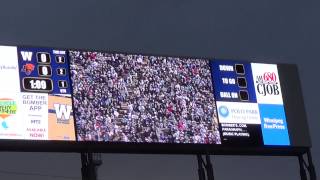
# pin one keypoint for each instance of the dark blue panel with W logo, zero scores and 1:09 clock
(44, 70)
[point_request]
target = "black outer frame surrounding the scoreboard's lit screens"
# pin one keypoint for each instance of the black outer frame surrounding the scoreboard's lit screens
(165, 148)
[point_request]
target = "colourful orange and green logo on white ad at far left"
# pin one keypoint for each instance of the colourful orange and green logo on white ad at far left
(8, 107)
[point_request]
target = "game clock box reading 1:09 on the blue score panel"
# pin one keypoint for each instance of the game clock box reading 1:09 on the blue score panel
(37, 84)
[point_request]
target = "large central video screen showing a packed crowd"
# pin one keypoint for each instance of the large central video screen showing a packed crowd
(143, 99)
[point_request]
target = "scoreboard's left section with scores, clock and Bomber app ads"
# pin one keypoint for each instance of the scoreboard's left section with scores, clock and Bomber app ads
(36, 104)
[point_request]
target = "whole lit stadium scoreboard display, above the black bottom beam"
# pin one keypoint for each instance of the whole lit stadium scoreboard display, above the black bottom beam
(81, 96)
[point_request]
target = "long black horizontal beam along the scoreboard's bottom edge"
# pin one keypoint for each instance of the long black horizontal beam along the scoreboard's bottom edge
(145, 148)
